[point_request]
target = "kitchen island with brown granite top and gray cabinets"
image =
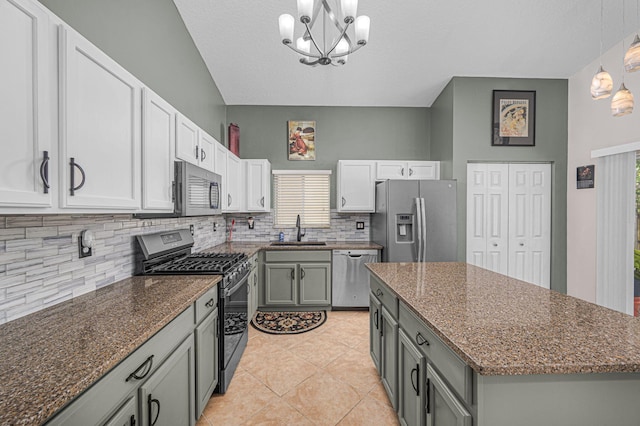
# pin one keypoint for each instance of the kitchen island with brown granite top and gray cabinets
(499, 351)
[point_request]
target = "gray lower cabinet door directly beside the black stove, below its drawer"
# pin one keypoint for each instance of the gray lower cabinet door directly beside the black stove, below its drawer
(206, 360)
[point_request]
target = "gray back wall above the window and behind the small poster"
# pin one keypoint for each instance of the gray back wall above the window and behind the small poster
(342, 133)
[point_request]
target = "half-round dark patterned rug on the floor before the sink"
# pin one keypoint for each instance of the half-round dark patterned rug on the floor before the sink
(288, 322)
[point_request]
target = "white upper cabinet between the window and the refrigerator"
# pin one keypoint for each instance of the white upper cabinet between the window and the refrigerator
(356, 186)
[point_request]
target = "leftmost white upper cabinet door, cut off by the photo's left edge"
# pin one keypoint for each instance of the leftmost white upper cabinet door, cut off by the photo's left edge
(26, 157)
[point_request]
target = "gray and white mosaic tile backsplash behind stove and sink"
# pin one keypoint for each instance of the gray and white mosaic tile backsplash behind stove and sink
(40, 264)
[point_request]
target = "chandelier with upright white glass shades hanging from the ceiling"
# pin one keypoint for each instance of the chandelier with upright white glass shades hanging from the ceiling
(336, 45)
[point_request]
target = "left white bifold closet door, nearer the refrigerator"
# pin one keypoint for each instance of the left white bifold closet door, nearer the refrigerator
(487, 216)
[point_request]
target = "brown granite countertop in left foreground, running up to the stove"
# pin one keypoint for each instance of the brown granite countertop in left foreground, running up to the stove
(49, 357)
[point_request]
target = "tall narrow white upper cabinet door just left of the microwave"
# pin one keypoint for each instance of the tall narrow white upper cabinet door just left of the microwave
(158, 142)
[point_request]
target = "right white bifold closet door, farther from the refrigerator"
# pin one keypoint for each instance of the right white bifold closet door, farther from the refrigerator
(530, 223)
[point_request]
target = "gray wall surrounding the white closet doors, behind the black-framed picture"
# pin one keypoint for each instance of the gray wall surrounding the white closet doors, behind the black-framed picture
(471, 136)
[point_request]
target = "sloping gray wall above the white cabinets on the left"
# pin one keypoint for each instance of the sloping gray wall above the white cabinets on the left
(150, 40)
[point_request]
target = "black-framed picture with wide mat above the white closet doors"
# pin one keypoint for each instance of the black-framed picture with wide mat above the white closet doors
(514, 118)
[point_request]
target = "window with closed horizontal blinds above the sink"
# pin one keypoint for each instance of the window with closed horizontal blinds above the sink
(304, 193)
